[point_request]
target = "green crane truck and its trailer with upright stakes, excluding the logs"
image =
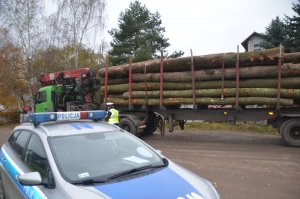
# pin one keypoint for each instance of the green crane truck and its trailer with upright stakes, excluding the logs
(75, 90)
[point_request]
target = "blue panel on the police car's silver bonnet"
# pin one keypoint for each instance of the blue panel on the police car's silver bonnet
(163, 184)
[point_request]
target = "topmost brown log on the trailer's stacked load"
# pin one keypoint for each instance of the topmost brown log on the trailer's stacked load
(265, 57)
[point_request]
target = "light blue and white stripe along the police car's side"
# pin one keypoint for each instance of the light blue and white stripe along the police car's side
(13, 170)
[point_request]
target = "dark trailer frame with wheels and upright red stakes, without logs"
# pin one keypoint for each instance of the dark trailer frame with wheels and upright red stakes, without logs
(285, 119)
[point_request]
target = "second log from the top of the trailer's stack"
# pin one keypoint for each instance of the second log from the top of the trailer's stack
(288, 69)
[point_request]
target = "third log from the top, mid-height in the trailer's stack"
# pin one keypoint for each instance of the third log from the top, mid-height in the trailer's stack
(290, 82)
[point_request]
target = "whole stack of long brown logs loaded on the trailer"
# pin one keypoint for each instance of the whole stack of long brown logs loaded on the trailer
(267, 77)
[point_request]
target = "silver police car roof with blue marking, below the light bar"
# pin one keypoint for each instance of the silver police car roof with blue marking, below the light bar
(64, 128)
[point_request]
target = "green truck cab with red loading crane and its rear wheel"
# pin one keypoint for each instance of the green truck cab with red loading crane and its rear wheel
(75, 90)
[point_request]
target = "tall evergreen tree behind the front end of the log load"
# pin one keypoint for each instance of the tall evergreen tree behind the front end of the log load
(139, 32)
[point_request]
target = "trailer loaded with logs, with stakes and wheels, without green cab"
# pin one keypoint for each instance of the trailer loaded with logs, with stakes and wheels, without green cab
(250, 86)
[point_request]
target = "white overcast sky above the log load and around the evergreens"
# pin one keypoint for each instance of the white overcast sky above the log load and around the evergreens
(207, 26)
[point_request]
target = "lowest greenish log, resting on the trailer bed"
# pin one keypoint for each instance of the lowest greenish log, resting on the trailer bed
(204, 101)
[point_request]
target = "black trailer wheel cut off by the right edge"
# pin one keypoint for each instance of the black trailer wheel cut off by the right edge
(290, 132)
